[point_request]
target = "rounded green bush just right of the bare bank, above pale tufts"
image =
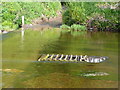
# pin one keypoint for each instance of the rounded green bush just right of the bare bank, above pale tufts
(74, 14)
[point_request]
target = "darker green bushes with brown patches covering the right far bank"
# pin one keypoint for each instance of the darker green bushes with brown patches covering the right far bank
(99, 15)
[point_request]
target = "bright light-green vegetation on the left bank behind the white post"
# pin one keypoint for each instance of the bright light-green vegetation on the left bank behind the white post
(12, 12)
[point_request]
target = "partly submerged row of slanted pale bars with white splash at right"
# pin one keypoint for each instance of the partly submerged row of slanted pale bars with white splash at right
(72, 58)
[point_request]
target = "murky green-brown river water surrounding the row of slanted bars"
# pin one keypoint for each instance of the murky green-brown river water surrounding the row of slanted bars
(22, 71)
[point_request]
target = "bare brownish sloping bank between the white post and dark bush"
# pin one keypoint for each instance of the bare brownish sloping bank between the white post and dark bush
(44, 23)
